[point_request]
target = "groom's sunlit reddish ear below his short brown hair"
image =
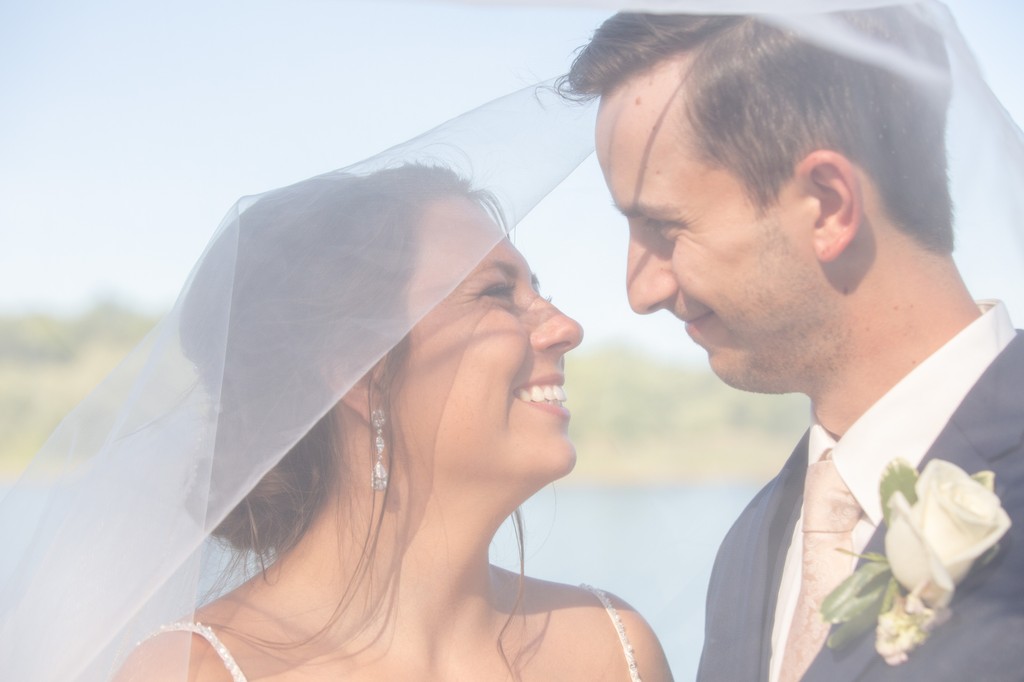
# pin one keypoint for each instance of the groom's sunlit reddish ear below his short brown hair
(833, 186)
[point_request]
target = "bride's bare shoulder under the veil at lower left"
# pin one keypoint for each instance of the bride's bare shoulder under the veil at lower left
(175, 657)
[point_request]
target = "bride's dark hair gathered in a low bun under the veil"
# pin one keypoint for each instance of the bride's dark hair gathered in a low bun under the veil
(331, 229)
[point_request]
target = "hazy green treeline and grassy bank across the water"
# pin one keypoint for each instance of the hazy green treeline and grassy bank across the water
(635, 418)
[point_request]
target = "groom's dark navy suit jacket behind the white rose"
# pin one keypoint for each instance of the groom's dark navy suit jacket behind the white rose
(985, 640)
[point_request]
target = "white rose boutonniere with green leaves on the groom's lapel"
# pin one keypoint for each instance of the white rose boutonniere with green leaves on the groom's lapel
(941, 525)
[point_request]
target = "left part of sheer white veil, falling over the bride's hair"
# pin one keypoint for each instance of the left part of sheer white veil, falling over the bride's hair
(158, 455)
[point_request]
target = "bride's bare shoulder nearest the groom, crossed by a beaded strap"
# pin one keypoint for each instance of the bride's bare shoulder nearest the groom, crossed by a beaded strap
(577, 627)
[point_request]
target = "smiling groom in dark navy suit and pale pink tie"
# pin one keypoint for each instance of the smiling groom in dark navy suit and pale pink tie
(791, 207)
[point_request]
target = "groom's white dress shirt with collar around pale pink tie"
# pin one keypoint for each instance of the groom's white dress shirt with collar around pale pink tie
(904, 423)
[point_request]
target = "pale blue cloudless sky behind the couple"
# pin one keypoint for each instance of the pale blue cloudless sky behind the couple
(130, 129)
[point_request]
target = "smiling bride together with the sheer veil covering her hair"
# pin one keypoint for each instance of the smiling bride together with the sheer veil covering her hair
(300, 473)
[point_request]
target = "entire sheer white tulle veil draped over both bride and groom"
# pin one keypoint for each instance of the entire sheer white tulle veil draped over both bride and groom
(123, 497)
